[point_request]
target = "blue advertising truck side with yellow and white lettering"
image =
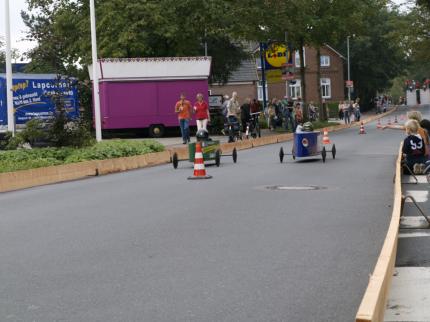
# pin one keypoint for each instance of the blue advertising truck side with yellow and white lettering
(32, 97)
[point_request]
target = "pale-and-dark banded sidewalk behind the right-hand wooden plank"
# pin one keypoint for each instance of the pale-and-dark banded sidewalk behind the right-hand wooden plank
(409, 298)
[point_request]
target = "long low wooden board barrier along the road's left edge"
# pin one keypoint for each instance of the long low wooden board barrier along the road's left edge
(10, 181)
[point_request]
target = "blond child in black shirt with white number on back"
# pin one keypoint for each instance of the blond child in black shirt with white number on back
(414, 147)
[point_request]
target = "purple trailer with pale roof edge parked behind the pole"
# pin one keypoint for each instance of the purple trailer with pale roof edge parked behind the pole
(139, 93)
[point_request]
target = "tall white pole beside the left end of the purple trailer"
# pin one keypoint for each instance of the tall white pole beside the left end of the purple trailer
(96, 91)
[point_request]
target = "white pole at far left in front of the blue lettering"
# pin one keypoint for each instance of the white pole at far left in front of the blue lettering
(9, 92)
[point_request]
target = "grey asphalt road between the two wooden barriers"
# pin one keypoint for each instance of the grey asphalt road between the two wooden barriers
(149, 245)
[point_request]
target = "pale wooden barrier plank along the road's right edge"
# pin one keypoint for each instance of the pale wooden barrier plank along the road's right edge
(372, 307)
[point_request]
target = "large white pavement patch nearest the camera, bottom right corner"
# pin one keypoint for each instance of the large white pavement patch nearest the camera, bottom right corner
(409, 298)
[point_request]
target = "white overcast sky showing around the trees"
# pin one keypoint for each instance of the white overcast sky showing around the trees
(18, 28)
